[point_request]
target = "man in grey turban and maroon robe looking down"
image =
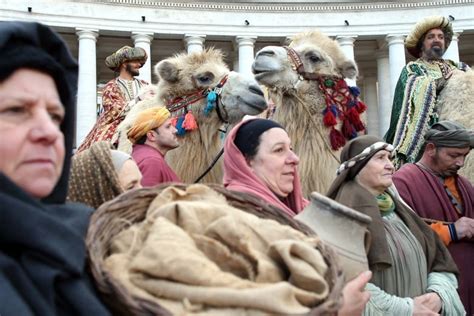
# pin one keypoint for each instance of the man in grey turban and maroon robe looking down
(443, 198)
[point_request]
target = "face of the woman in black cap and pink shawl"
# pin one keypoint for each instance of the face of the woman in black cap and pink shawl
(275, 162)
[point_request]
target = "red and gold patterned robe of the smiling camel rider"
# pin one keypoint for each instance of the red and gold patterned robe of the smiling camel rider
(116, 103)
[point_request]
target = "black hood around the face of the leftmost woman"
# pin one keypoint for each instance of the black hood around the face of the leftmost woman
(35, 46)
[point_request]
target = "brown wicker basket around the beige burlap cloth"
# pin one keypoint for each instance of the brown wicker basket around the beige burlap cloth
(116, 215)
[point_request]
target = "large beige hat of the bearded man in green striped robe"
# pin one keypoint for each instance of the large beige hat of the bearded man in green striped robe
(423, 26)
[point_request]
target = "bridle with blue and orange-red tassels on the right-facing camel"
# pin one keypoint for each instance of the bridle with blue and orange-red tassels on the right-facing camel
(180, 107)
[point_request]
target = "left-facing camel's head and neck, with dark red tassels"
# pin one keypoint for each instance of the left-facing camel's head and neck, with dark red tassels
(297, 78)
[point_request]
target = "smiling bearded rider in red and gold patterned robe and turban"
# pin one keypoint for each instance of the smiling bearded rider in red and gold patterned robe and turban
(119, 94)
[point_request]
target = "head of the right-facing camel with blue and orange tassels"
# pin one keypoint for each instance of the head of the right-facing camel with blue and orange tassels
(202, 73)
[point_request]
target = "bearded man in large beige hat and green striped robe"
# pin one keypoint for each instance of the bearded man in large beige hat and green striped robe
(414, 102)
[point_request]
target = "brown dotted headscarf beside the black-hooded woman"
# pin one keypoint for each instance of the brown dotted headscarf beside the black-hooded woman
(93, 178)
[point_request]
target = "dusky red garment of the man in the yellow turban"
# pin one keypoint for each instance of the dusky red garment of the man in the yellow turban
(153, 166)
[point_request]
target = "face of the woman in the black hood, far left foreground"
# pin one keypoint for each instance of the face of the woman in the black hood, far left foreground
(32, 146)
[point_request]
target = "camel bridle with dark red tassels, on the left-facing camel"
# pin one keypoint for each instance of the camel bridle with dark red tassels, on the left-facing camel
(343, 106)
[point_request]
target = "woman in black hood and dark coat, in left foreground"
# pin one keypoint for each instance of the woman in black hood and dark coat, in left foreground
(42, 250)
